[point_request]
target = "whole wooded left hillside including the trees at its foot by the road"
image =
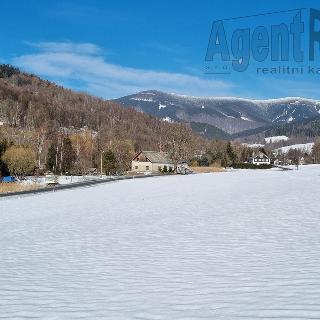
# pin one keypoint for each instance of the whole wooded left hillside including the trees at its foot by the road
(65, 131)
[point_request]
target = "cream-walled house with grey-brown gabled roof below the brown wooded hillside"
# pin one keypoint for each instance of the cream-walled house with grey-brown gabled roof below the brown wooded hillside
(152, 161)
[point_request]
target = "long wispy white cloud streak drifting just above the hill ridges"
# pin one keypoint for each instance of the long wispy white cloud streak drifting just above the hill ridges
(84, 66)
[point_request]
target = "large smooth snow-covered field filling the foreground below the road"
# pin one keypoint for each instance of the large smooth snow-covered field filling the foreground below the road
(242, 244)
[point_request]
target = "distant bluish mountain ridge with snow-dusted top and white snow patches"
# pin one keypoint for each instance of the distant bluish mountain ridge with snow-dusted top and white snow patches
(232, 115)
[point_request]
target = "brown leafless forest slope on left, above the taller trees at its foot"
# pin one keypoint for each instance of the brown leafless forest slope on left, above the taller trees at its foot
(29, 103)
